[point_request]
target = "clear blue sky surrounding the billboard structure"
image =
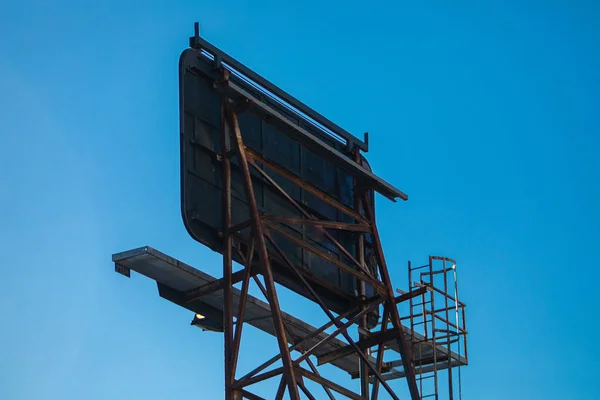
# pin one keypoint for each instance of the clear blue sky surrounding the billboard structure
(485, 113)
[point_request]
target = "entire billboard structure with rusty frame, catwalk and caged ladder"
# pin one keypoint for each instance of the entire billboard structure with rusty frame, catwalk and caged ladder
(276, 187)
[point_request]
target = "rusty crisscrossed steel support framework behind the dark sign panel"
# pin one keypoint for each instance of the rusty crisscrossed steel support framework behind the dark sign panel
(292, 373)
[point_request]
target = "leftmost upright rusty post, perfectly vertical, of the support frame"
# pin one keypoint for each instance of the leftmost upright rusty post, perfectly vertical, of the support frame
(227, 249)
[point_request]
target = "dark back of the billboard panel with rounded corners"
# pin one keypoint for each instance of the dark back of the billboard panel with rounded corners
(313, 175)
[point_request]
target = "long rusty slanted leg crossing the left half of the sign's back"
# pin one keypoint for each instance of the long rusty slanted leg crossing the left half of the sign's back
(261, 247)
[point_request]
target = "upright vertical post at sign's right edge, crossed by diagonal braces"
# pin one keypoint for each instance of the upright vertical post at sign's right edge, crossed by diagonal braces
(360, 253)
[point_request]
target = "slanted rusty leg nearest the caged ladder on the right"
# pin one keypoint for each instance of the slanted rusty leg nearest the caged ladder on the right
(405, 350)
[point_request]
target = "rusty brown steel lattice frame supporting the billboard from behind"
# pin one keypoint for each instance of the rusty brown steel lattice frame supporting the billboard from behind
(262, 227)
